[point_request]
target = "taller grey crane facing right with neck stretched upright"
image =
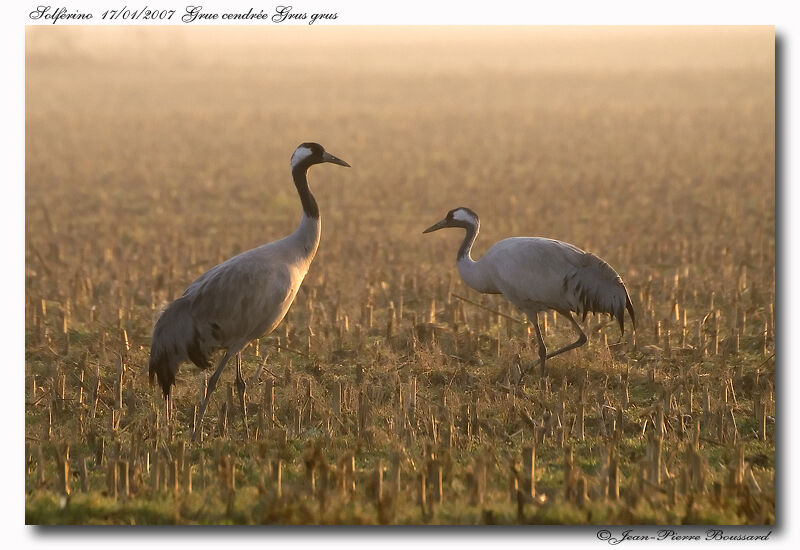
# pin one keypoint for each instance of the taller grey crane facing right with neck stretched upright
(240, 299)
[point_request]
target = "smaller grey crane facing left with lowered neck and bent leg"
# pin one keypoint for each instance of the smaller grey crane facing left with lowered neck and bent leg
(536, 274)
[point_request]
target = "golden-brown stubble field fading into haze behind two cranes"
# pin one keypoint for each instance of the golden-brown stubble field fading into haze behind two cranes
(385, 396)
